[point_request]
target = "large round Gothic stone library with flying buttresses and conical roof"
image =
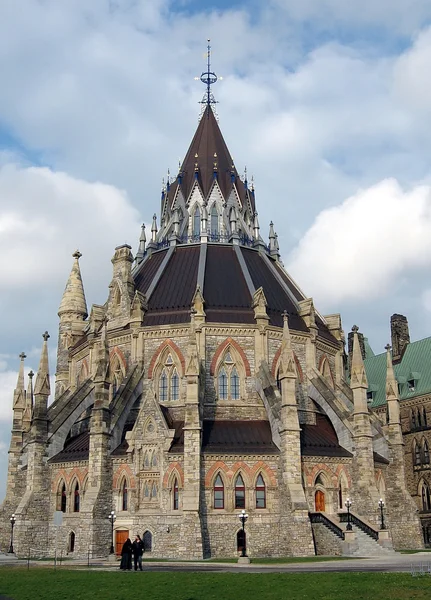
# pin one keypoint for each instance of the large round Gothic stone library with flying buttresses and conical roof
(206, 383)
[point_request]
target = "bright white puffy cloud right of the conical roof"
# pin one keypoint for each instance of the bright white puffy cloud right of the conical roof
(357, 250)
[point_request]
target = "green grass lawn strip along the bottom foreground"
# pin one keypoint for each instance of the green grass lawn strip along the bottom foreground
(47, 584)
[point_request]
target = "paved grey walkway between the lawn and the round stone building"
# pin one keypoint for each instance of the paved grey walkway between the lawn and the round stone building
(396, 563)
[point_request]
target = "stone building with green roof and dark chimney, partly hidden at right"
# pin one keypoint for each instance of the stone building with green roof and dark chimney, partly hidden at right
(412, 367)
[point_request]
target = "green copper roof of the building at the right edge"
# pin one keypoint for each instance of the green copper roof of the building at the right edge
(415, 365)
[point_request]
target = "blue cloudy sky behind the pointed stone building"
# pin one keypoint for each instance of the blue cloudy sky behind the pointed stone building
(327, 103)
